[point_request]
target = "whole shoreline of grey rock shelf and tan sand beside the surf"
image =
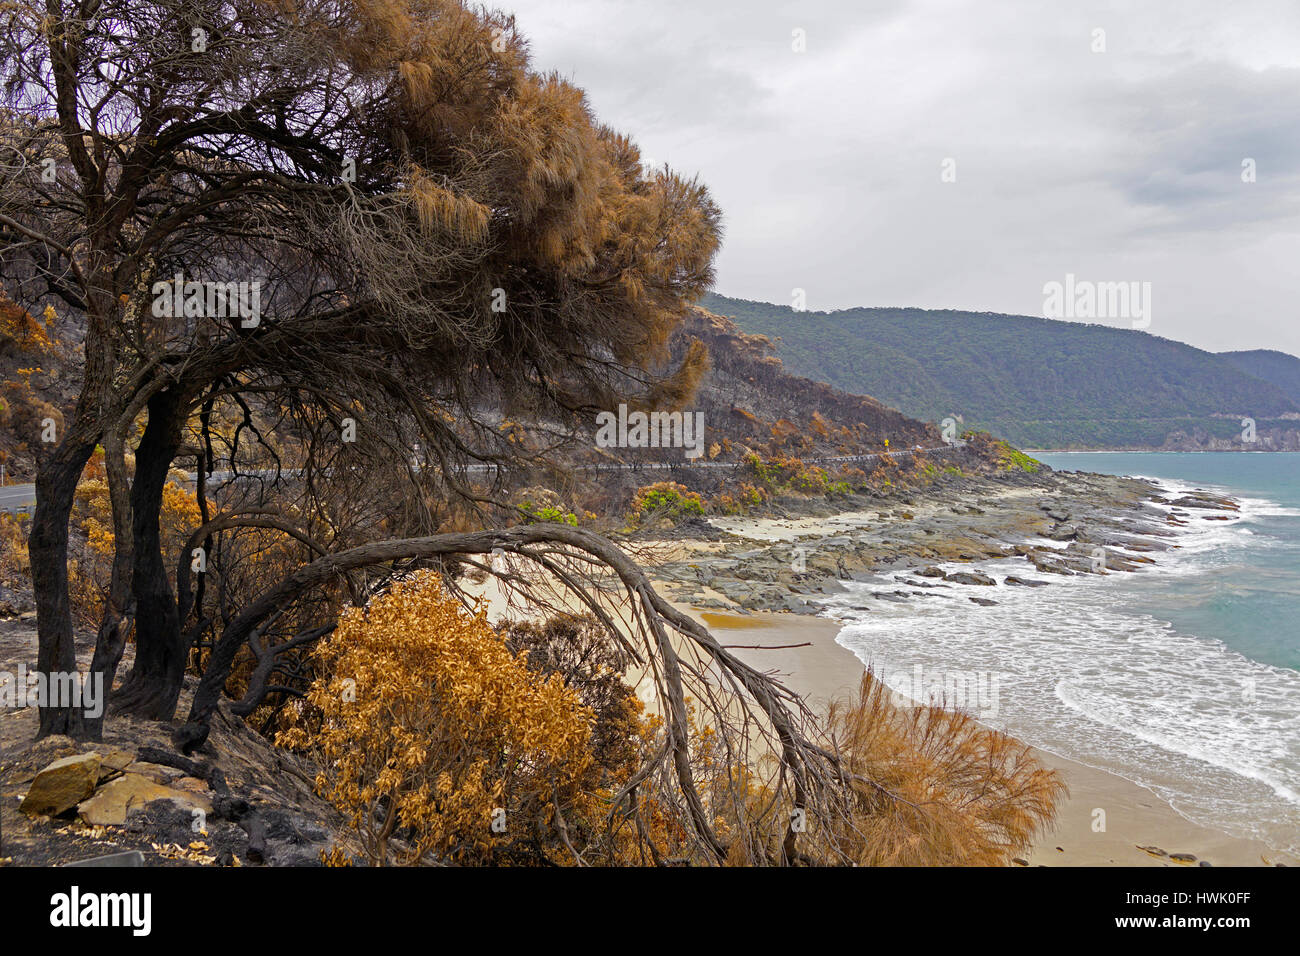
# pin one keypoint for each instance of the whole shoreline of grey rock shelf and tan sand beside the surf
(742, 585)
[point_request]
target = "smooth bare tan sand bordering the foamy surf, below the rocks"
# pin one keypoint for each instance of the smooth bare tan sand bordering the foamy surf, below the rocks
(1136, 817)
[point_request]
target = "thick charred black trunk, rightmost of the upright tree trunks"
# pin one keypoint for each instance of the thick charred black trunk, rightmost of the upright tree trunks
(154, 685)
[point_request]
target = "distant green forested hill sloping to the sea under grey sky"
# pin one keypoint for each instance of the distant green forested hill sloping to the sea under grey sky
(1034, 382)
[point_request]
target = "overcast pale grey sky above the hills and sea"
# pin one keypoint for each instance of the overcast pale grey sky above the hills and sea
(1116, 166)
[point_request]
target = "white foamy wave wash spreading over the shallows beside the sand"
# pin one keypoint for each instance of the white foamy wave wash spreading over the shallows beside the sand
(1212, 732)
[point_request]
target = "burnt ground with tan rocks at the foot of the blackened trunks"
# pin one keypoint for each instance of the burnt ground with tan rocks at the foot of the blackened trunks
(236, 801)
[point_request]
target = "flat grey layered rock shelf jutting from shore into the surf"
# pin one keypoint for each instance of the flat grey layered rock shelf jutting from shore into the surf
(1061, 525)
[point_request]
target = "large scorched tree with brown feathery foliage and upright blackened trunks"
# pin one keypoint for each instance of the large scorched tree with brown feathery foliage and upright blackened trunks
(374, 217)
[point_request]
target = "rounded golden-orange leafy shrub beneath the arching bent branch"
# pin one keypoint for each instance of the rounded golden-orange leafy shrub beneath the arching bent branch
(428, 732)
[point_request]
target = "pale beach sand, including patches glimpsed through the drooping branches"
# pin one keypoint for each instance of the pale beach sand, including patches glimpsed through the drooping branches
(1141, 829)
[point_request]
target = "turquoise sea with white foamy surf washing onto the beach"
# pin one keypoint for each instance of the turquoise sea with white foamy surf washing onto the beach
(1184, 678)
